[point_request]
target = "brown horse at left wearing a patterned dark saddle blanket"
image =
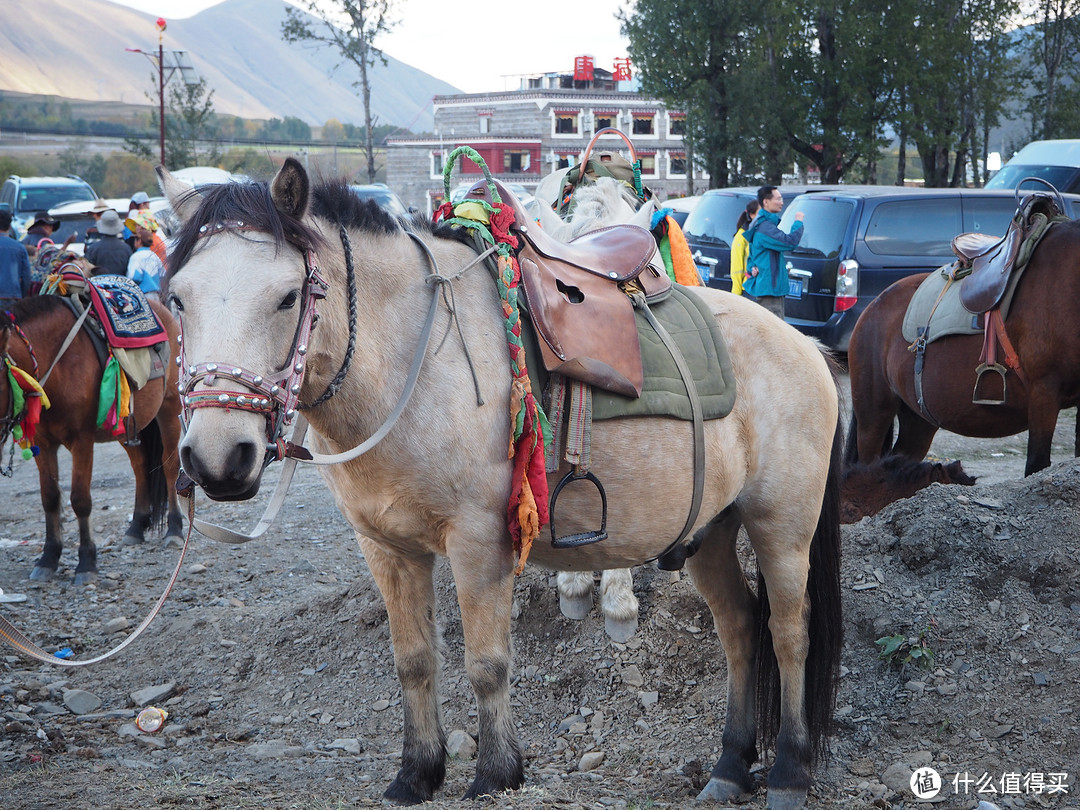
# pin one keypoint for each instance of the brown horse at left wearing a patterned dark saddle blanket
(72, 423)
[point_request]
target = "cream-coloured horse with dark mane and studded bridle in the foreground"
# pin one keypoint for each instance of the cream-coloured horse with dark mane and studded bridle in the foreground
(439, 482)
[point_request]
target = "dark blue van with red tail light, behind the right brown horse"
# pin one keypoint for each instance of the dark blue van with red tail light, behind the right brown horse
(859, 240)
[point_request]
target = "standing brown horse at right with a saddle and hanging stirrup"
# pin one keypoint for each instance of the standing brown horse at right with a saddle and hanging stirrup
(1043, 328)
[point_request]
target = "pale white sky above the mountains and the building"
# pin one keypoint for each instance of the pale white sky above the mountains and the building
(481, 48)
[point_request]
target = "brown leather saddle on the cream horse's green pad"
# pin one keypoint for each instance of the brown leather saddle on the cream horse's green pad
(578, 296)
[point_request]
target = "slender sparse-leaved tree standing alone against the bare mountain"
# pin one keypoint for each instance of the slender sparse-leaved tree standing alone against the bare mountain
(361, 22)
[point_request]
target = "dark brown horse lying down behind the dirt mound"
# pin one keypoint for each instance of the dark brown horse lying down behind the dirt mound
(869, 489)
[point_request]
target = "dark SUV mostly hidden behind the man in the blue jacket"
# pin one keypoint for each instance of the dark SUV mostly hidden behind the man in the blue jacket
(712, 224)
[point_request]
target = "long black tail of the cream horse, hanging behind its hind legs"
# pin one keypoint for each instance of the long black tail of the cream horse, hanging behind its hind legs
(826, 631)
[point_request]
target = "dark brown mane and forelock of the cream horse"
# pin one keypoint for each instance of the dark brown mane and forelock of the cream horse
(331, 200)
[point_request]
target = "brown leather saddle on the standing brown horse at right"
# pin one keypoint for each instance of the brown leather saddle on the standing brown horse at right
(989, 263)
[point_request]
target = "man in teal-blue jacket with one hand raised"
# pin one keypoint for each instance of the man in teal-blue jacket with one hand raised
(766, 276)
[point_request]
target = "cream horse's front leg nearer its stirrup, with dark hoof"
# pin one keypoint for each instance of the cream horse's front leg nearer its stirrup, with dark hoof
(485, 587)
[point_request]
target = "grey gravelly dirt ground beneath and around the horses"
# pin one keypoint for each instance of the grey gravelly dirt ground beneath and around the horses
(274, 661)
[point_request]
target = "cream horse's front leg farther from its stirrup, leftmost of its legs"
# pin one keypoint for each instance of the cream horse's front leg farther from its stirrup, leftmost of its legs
(408, 588)
